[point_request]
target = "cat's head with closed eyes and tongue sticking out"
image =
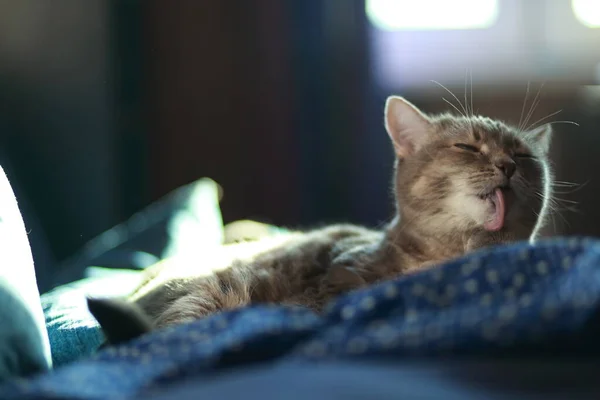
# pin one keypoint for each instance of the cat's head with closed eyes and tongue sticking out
(468, 174)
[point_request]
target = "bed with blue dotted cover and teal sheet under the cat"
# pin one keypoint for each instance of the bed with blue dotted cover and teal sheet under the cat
(517, 321)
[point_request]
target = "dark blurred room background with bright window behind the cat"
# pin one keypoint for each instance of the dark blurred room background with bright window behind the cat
(106, 106)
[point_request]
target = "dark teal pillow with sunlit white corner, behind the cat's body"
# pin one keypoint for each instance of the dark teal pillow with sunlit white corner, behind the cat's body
(181, 223)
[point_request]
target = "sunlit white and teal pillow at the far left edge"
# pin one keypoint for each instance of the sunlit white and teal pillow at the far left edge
(24, 345)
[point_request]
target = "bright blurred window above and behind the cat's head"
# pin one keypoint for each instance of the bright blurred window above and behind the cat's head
(500, 41)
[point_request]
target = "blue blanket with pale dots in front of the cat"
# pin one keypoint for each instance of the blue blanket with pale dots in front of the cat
(511, 299)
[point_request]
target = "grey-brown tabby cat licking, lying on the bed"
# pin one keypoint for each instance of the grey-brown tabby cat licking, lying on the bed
(460, 183)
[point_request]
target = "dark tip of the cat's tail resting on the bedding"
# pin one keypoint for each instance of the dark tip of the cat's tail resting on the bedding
(120, 320)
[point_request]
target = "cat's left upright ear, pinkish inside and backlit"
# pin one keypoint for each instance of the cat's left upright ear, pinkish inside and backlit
(406, 124)
